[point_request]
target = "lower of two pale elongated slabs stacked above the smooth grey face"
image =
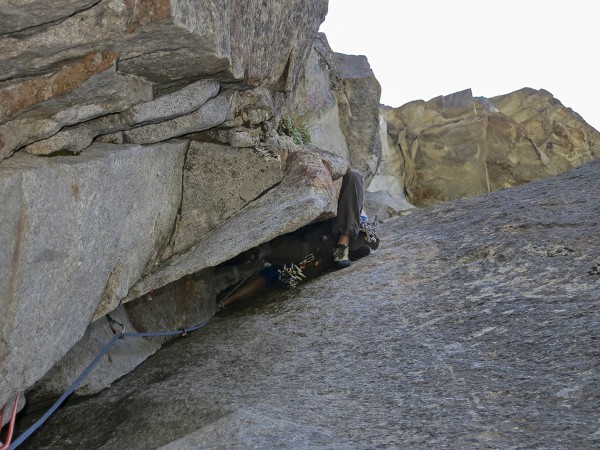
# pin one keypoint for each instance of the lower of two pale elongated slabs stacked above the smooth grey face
(210, 114)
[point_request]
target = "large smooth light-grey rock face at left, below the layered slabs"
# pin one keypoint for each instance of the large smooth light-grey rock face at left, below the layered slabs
(69, 240)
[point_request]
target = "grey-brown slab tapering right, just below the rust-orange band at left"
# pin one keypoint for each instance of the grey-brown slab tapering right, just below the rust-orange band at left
(101, 94)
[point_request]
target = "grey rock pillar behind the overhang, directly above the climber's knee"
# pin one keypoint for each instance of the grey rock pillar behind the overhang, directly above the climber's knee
(337, 99)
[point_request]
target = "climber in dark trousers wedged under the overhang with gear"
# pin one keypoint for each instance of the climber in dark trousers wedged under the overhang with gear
(314, 248)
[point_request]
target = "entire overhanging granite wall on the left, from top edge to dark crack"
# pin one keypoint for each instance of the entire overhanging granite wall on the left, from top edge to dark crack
(104, 106)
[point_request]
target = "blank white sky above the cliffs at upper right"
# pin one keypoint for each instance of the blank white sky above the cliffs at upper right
(419, 49)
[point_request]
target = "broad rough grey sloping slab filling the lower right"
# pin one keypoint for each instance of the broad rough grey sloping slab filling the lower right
(474, 325)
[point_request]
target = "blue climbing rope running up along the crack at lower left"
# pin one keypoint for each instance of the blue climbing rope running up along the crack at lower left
(88, 369)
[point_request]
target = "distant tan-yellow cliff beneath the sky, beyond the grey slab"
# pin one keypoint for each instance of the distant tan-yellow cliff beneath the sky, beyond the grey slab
(457, 145)
